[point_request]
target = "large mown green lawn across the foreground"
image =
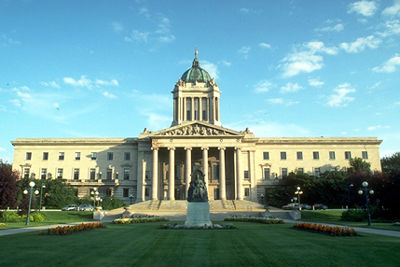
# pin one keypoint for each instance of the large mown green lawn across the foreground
(250, 245)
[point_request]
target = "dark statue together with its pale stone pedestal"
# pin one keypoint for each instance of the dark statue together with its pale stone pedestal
(198, 208)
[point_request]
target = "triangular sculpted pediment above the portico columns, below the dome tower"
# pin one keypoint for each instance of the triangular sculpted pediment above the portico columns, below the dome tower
(196, 129)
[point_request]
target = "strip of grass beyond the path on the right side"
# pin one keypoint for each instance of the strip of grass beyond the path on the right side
(334, 217)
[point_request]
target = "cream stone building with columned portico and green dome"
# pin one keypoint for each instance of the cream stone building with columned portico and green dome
(157, 165)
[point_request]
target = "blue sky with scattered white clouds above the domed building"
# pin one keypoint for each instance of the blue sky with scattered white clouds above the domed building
(285, 68)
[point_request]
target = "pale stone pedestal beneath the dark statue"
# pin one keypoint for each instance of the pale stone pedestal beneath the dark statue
(198, 214)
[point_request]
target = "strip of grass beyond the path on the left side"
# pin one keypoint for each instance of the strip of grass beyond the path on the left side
(53, 217)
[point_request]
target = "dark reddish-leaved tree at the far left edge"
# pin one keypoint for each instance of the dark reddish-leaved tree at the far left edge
(8, 186)
